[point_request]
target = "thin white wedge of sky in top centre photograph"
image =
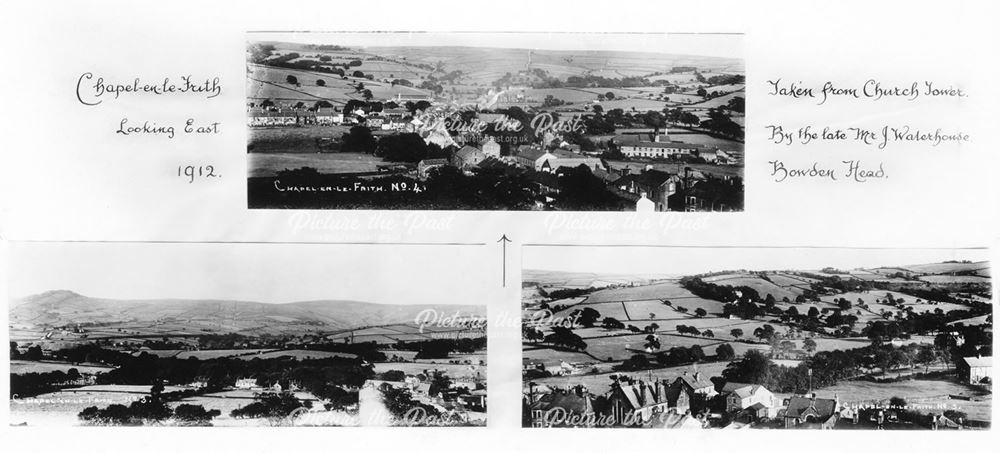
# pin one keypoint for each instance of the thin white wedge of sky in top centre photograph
(714, 45)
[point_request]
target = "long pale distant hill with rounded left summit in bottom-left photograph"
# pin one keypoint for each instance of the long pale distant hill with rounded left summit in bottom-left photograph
(65, 308)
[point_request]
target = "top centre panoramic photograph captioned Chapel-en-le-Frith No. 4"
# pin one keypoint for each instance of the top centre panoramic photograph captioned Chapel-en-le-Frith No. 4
(495, 121)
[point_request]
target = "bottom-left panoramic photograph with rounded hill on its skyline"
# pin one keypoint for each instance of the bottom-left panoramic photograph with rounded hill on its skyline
(108, 334)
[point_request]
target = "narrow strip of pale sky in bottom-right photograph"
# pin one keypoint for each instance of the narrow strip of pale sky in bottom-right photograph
(697, 260)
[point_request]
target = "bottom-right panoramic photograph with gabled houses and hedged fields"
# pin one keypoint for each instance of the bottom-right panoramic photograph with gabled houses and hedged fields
(761, 338)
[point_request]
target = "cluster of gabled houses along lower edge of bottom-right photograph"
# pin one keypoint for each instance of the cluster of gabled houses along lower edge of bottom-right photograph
(689, 401)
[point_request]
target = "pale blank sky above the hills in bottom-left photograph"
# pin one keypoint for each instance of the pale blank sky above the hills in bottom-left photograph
(270, 273)
